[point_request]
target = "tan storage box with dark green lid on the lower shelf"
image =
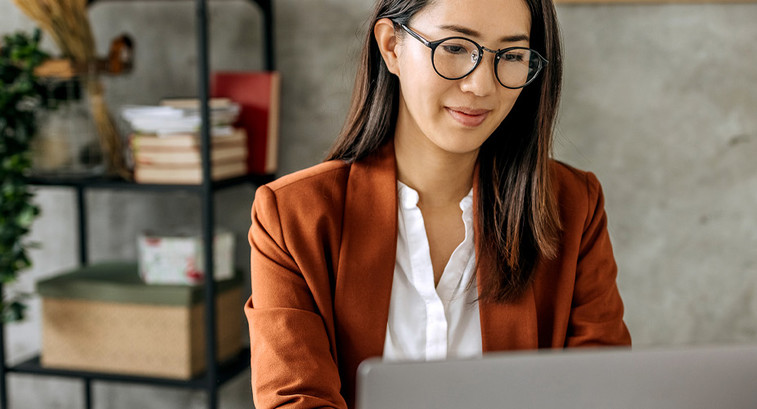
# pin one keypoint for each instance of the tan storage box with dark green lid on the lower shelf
(106, 324)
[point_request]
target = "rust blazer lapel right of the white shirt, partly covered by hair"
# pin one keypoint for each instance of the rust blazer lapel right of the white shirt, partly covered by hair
(507, 326)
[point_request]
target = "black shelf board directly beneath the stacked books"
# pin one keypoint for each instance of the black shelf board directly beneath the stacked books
(104, 182)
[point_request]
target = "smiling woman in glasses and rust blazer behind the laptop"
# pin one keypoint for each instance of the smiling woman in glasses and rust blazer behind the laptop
(438, 227)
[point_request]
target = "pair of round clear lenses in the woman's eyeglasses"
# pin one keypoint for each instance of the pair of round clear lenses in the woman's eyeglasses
(457, 57)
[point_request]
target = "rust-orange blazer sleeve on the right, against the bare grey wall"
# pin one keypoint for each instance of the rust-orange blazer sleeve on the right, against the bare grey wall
(596, 317)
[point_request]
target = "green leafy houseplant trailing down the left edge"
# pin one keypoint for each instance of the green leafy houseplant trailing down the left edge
(20, 96)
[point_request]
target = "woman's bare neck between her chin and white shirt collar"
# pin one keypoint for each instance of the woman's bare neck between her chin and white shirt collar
(441, 178)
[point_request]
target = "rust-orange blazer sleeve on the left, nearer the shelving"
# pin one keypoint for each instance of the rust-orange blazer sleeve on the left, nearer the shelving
(292, 365)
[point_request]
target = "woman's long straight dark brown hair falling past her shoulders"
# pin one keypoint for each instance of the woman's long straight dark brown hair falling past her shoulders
(518, 216)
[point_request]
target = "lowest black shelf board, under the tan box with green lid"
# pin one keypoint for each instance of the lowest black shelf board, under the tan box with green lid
(226, 371)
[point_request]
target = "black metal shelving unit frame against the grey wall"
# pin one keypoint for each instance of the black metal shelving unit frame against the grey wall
(217, 373)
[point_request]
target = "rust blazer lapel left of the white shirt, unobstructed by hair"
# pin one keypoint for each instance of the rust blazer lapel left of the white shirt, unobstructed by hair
(367, 255)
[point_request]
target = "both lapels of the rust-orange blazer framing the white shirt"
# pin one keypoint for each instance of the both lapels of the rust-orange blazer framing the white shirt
(366, 267)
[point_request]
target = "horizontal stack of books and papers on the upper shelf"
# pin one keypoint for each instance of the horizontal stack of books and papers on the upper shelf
(166, 145)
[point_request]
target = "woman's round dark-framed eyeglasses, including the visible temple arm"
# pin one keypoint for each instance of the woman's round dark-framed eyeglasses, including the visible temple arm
(455, 57)
